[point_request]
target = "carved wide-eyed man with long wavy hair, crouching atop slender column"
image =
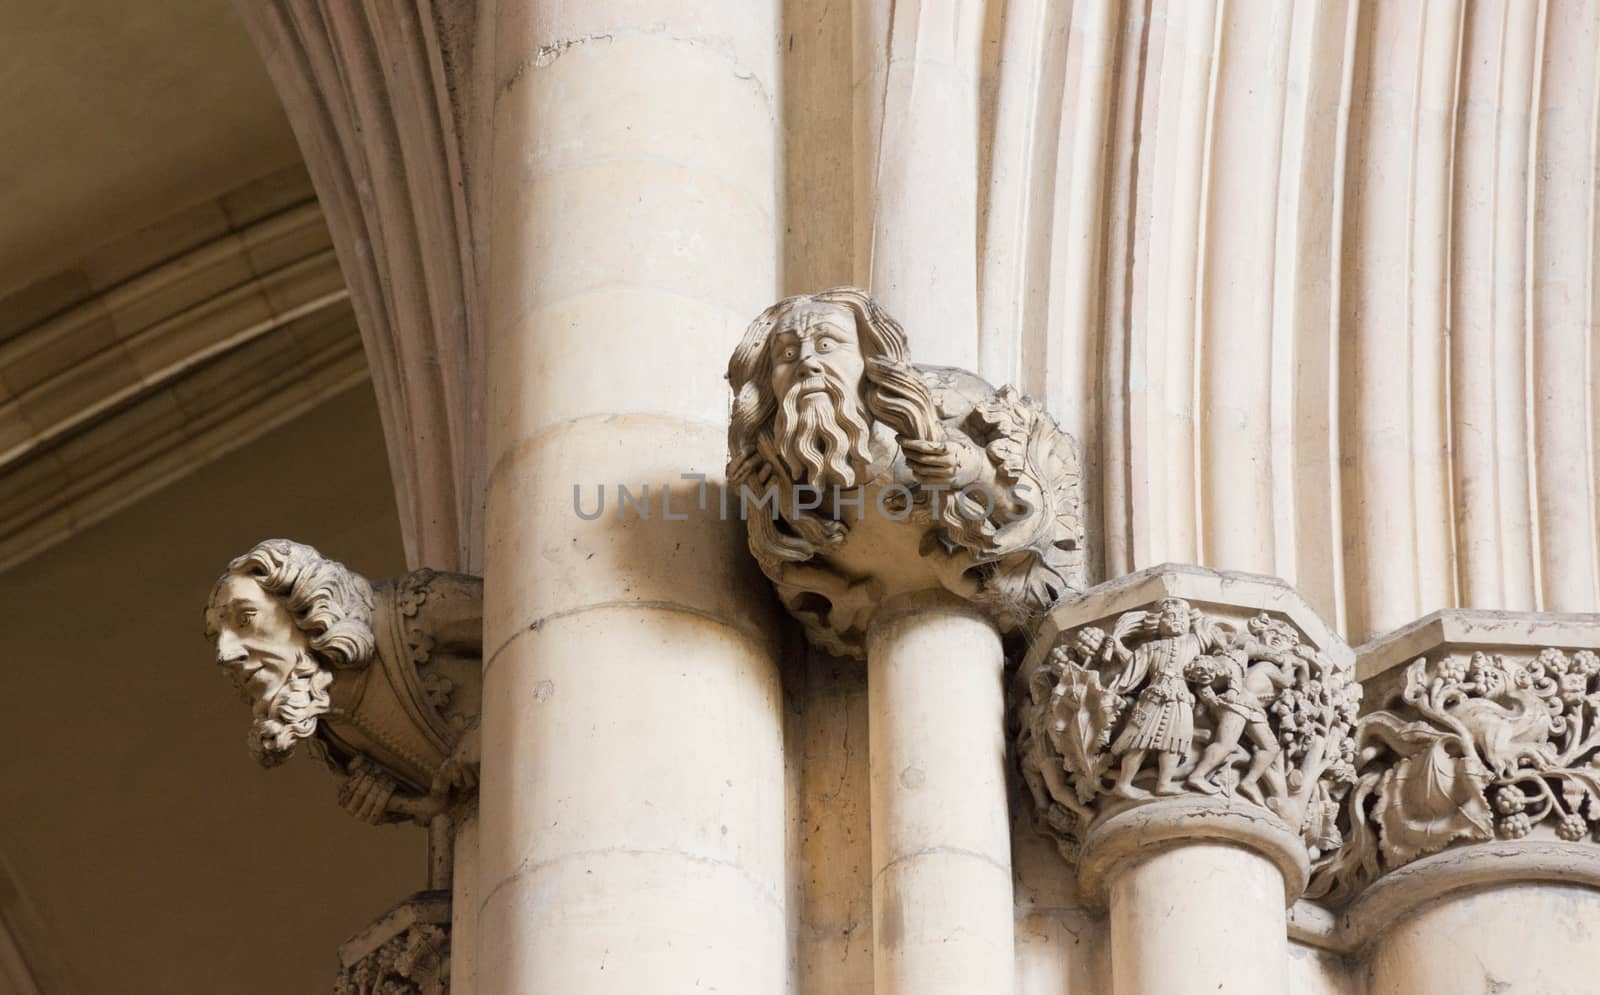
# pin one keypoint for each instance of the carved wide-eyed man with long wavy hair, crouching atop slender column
(863, 476)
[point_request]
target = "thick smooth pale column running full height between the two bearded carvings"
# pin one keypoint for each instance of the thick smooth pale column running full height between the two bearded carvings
(633, 793)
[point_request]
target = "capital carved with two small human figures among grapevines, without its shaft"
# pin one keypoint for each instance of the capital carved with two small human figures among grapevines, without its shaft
(1188, 682)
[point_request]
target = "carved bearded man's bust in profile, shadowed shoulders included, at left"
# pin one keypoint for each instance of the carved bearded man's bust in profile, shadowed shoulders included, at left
(382, 681)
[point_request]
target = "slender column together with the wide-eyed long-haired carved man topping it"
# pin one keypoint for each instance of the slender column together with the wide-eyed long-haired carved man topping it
(895, 532)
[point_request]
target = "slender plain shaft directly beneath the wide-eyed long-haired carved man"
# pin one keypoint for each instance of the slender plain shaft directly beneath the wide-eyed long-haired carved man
(942, 847)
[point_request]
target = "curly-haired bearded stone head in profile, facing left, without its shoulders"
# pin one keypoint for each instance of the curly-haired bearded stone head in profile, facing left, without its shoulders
(282, 618)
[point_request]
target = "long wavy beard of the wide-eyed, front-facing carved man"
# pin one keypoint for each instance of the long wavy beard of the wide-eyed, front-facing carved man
(823, 438)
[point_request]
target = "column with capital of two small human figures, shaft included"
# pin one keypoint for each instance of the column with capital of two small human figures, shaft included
(1185, 737)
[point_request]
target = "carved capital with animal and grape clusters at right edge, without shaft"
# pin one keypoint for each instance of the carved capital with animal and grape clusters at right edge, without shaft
(1481, 730)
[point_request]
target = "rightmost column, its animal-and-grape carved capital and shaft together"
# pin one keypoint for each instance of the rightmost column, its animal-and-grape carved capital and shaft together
(1470, 863)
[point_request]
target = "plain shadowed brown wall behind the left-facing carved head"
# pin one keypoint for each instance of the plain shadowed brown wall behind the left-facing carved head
(148, 852)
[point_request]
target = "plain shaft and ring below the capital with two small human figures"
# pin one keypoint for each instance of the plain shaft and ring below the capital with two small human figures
(1198, 893)
